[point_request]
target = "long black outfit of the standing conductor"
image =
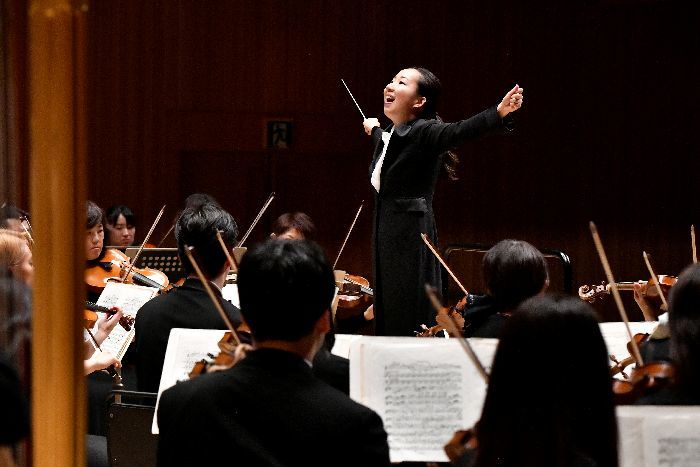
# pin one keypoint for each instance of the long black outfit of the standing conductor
(404, 210)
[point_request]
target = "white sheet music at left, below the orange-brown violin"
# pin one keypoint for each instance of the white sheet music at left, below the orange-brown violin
(129, 298)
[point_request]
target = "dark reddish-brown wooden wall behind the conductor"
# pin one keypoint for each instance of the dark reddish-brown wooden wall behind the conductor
(607, 131)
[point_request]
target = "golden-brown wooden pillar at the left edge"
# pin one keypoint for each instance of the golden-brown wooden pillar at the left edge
(57, 188)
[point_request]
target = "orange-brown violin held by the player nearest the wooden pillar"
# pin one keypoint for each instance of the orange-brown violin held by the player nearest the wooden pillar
(114, 266)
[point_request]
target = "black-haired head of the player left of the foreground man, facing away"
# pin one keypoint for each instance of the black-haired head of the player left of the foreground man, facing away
(196, 227)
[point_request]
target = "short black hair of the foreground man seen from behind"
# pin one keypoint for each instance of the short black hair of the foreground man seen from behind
(284, 287)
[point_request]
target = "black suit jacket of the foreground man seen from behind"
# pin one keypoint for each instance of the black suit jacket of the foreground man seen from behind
(269, 409)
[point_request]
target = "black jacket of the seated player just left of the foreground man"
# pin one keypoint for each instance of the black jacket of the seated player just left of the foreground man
(188, 306)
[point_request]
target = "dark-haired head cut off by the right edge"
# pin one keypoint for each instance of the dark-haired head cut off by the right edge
(684, 328)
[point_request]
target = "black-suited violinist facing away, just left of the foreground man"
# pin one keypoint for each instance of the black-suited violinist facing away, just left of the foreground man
(188, 306)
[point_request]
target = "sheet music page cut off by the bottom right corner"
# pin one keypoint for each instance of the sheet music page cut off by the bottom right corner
(655, 436)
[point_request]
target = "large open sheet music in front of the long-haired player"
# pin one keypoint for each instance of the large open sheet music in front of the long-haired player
(424, 390)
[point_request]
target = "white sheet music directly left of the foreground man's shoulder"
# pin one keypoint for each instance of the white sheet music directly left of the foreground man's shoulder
(185, 348)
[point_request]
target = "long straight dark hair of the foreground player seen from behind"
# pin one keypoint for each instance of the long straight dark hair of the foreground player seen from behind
(549, 401)
